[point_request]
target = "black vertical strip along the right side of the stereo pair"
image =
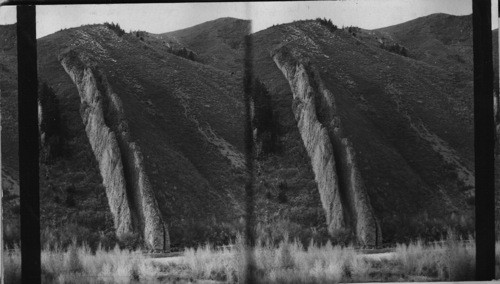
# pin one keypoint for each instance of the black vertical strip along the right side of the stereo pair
(484, 140)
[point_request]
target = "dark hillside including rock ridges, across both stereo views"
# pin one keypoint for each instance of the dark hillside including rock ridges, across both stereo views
(357, 138)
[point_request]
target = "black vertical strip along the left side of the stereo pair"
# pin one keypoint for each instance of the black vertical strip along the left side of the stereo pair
(28, 144)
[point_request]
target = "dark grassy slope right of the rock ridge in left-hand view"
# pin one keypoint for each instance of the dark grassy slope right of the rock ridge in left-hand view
(177, 113)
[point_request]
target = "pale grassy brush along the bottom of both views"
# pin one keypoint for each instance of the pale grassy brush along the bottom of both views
(288, 262)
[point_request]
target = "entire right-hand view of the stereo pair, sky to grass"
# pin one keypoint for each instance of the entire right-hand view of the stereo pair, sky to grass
(363, 123)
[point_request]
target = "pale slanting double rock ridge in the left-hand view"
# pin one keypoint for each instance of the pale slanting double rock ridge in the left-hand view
(129, 192)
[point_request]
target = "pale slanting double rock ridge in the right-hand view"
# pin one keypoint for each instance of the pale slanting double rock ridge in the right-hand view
(341, 187)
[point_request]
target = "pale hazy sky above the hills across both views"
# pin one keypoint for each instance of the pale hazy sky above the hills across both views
(158, 18)
